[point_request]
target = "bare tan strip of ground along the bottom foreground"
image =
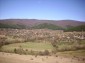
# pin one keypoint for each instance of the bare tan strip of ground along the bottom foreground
(16, 58)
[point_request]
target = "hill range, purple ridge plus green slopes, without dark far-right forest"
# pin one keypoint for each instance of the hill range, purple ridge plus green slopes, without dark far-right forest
(34, 23)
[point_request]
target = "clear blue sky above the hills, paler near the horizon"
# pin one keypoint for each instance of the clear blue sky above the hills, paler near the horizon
(43, 9)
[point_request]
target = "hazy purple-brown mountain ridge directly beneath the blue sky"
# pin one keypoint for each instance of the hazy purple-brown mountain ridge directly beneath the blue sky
(33, 22)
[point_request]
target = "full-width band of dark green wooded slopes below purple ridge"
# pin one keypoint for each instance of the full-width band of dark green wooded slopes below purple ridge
(43, 26)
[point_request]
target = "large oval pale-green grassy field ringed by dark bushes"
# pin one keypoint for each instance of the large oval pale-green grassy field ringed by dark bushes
(28, 45)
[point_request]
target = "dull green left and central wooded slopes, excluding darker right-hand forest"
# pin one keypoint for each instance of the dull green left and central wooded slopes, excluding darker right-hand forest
(40, 26)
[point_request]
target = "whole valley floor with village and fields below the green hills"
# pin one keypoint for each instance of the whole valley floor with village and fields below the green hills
(41, 46)
